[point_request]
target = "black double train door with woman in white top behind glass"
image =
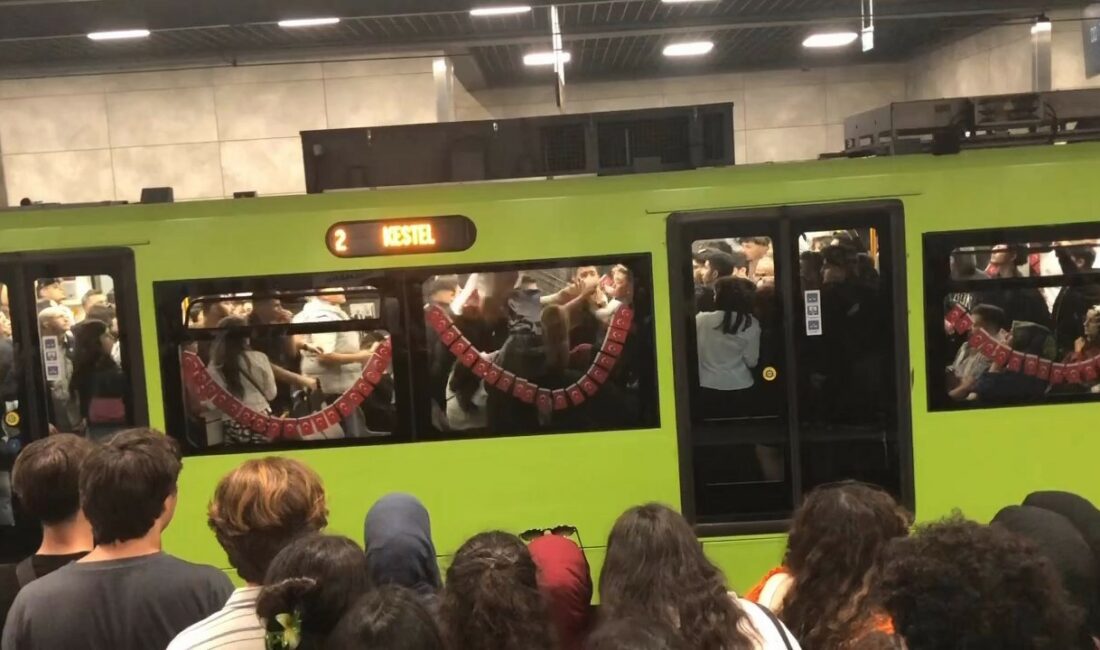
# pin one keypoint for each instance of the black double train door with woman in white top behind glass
(791, 358)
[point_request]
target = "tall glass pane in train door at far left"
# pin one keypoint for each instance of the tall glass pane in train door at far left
(82, 358)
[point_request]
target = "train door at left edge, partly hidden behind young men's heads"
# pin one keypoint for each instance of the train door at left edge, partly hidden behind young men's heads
(71, 361)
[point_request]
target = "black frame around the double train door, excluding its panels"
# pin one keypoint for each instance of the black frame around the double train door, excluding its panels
(790, 221)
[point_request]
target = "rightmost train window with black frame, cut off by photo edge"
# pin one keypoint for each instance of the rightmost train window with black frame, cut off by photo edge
(1014, 316)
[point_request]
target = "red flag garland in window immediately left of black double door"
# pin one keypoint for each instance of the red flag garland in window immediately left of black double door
(546, 400)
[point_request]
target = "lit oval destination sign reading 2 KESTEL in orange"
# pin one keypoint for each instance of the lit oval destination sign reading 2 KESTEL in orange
(426, 235)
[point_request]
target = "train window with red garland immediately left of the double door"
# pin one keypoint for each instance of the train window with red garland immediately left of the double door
(537, 349)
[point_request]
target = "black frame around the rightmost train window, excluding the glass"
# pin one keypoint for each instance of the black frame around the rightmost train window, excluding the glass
(939, 248)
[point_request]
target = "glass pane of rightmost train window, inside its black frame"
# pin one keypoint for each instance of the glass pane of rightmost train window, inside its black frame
(1022, 322)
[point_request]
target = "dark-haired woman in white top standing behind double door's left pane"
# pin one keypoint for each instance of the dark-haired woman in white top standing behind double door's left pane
(729, 345)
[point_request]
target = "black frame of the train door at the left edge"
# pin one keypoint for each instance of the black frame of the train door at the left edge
(24, 270)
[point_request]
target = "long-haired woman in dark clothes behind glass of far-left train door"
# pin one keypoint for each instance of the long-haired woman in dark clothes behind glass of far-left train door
(98, 384)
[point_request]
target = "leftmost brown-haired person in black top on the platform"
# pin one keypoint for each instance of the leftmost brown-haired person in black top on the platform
(47, 482)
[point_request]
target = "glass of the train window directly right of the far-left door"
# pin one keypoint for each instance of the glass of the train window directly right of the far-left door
(294, 367)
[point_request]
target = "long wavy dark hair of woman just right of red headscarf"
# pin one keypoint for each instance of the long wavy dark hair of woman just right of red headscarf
(656, 569)
